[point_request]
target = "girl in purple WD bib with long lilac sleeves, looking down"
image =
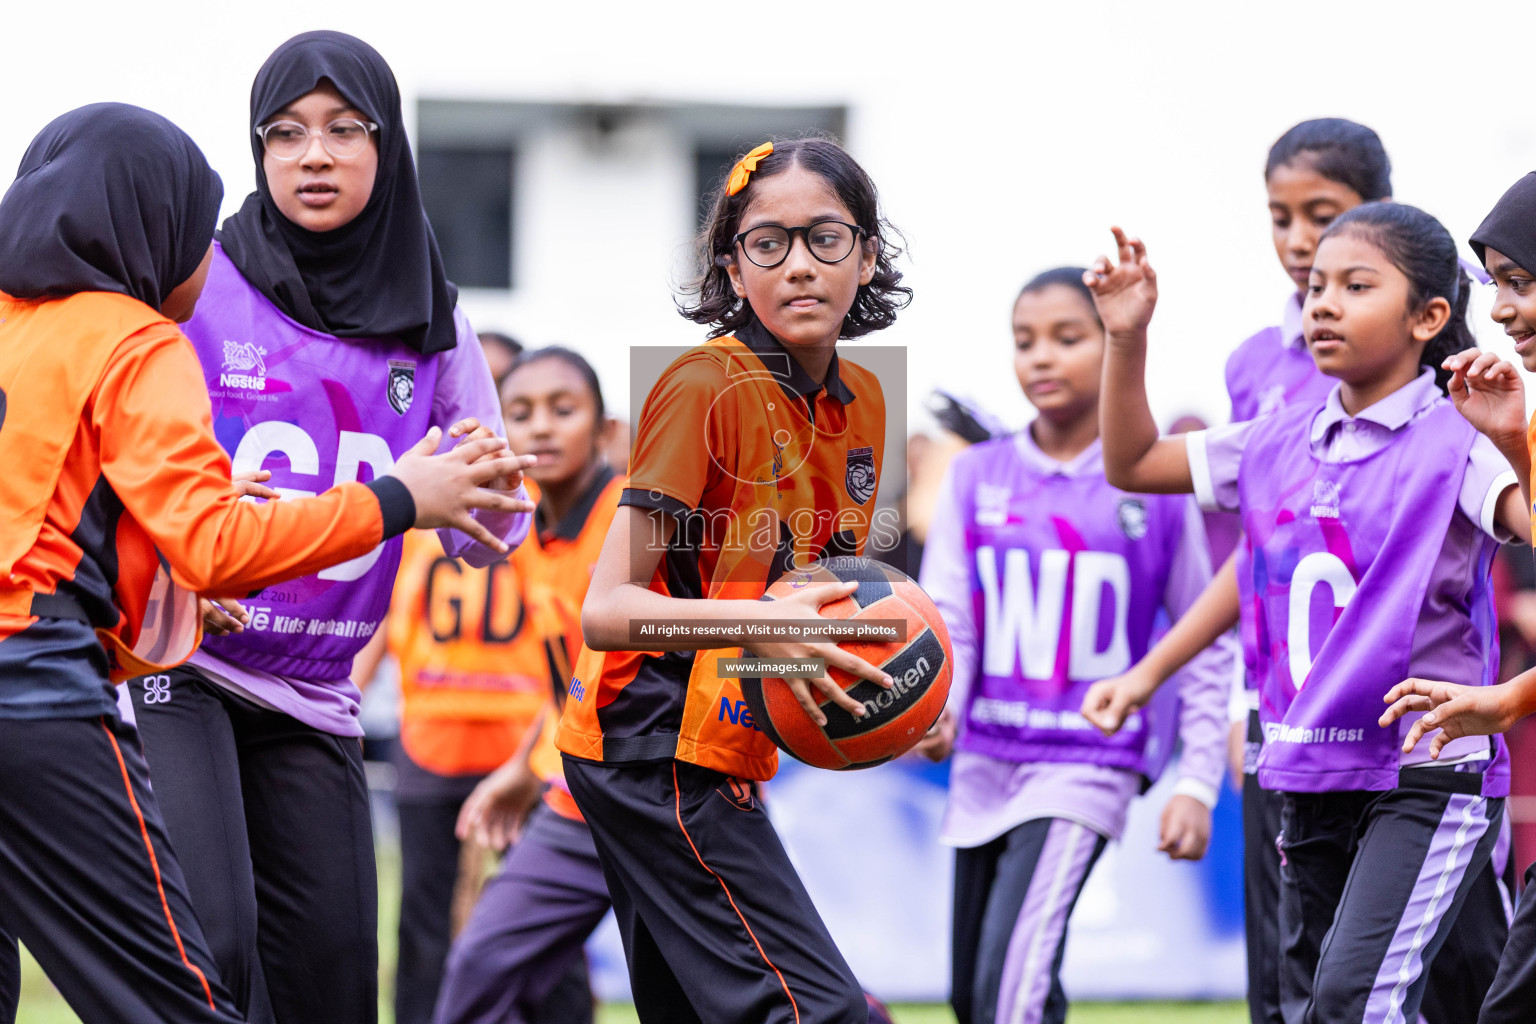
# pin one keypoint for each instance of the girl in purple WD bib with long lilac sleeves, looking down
(1050, 580)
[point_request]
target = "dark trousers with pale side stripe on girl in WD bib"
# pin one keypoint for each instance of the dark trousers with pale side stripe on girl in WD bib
(1013, 900)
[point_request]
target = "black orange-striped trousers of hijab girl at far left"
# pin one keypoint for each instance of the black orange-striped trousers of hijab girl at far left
(88, 879)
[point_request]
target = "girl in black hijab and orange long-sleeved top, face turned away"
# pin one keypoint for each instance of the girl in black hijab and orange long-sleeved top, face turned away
(116, 497)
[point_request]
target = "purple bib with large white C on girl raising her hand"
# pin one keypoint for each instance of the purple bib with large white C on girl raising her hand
(1339, 564)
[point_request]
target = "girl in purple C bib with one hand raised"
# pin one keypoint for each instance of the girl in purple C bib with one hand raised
(1371, 526)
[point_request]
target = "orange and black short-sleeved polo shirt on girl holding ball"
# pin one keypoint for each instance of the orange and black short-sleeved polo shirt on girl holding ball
(761, 469)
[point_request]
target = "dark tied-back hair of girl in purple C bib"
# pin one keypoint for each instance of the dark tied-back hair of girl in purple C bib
(1425, 253)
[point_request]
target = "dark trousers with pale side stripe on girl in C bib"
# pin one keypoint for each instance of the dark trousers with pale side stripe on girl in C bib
(1371, 887)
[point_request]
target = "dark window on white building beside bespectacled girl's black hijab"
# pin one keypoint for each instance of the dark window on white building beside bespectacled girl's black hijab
(468, 194)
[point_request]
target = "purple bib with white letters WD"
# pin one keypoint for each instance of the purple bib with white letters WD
(1067, 578)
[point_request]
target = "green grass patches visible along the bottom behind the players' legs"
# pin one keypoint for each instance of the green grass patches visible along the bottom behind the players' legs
(41, 1005)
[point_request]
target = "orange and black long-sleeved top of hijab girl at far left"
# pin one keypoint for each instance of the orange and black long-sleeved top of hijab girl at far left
(118, 507)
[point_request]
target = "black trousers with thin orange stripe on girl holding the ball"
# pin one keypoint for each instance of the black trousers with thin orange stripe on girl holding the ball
(717, 925)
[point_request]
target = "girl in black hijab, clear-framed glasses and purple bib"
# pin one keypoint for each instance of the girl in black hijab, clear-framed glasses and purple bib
(329, 340)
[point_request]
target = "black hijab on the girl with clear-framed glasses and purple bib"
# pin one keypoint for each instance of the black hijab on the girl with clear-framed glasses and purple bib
(376, 277)
